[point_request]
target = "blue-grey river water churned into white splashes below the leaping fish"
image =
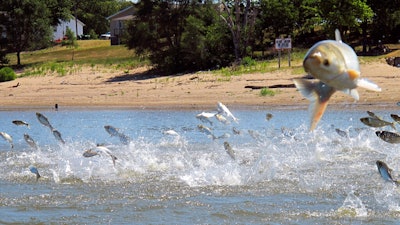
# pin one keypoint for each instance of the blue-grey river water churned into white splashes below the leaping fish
(281, 174)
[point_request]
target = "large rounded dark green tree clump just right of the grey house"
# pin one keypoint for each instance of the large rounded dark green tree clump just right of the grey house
(180, 35)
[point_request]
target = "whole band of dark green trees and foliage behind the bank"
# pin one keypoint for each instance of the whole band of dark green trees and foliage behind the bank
(191, 35)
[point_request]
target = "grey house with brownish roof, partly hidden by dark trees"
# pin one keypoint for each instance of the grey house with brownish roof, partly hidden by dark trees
(118, 24)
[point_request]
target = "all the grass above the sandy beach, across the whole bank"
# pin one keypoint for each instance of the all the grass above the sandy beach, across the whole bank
(100, 52)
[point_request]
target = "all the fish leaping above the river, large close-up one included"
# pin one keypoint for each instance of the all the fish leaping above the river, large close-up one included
(332, 62)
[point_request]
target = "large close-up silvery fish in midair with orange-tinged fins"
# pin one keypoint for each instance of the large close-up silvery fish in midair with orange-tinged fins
(336, 66)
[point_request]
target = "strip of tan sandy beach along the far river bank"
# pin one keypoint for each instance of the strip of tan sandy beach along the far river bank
(136, 89)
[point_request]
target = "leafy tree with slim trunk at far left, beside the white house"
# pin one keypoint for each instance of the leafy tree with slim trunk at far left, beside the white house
(27, 25)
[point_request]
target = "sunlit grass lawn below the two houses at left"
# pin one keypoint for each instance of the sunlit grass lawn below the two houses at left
(57, 60)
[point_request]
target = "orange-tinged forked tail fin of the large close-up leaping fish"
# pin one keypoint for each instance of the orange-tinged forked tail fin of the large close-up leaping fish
(318, 94)
